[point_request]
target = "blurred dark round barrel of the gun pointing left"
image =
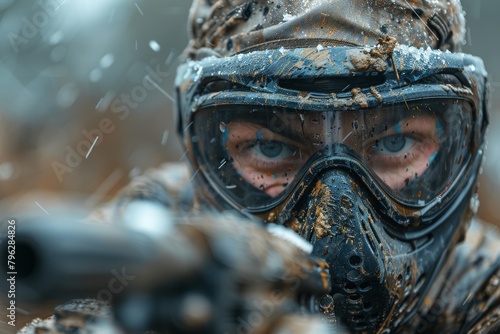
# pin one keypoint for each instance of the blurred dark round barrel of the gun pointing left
(64, 259)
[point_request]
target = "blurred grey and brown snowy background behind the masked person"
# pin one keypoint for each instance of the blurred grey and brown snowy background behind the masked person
(73, 70)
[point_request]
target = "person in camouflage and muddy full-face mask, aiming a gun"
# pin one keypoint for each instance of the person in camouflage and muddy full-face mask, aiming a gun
(360, 126)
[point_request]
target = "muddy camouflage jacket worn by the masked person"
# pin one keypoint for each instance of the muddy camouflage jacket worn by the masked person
(465, 297)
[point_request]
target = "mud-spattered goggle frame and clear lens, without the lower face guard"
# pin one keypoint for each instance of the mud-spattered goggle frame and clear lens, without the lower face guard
(260, 122)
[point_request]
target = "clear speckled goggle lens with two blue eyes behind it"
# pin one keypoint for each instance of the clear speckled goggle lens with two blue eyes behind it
(413, 150)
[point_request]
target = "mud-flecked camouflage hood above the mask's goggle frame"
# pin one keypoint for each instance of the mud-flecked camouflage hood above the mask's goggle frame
(231, 26)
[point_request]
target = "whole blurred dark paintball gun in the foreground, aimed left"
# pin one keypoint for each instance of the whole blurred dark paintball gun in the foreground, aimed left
(211, 273)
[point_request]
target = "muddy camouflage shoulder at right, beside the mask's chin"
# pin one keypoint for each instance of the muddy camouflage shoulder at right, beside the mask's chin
(465, 296)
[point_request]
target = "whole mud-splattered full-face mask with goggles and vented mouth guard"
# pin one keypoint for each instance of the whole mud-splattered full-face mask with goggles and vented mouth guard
(370, 153)
